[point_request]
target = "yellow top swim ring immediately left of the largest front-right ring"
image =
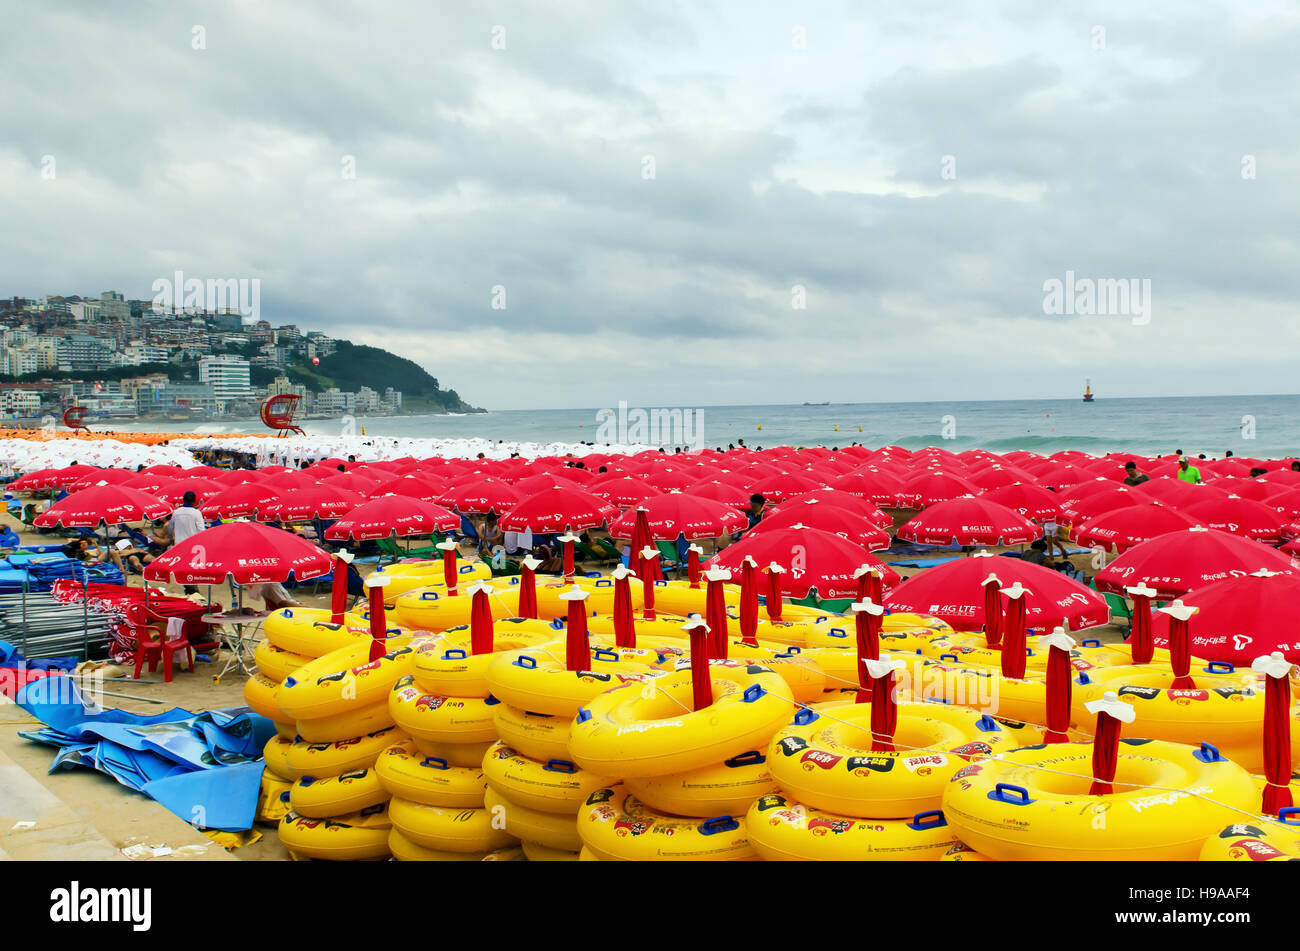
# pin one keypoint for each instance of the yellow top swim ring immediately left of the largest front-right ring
(825, 759)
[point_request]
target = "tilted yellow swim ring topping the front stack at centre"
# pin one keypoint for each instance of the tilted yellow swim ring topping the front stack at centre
(651, 729)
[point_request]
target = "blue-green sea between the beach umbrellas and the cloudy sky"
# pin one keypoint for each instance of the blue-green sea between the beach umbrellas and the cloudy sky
(1263, 425)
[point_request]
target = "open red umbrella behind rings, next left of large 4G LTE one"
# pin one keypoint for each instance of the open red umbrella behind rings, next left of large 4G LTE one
(812, 559)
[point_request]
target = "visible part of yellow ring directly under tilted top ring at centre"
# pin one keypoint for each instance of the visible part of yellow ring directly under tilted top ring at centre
(727, 789)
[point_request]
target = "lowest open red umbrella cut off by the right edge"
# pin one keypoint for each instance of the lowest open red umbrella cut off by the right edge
(1241, 619)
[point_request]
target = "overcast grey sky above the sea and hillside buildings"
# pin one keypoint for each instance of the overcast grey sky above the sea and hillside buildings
(794, 145)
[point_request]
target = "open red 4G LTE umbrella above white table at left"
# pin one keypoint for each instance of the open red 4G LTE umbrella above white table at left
(249, 553)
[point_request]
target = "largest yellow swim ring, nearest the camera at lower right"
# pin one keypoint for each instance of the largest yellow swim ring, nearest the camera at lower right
(1035, 804)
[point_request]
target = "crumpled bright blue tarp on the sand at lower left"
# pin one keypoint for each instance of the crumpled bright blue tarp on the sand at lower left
(203, 767)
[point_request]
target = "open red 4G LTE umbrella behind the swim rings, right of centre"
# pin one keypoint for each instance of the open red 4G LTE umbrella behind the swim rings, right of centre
(955, 593)
